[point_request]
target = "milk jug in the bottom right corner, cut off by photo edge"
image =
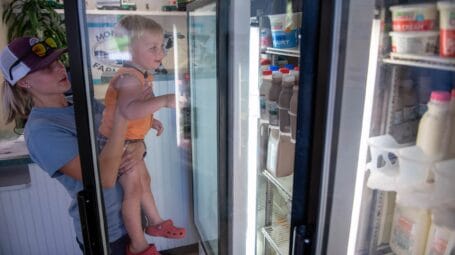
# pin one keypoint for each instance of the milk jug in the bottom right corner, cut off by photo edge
(441, 241)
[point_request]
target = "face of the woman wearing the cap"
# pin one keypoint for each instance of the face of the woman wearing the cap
(49, 80)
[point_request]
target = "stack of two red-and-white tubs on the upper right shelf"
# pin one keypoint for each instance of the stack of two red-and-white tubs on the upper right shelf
(415, 29)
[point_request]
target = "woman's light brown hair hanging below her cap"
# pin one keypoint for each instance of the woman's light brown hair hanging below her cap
(17, 102)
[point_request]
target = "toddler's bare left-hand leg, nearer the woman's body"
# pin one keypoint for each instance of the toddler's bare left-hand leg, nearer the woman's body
(131, 209)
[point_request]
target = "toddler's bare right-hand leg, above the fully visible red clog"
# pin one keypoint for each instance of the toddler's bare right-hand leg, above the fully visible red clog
(148, 200)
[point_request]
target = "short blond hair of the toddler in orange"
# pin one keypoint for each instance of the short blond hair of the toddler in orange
(133, 26)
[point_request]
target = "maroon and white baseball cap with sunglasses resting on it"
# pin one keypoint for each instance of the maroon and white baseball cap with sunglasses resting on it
(27, 54)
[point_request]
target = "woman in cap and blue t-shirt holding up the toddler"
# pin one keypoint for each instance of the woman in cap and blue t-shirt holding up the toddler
(35, 82)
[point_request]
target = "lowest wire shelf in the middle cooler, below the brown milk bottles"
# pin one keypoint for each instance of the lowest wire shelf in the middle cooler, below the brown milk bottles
(278, 238)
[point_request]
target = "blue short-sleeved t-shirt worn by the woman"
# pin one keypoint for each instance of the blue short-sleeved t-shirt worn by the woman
(50, 134)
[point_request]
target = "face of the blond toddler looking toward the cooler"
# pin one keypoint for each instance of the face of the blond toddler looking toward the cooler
(147, 51)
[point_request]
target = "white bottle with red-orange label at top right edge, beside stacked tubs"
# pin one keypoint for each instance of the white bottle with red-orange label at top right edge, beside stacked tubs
(446, 28)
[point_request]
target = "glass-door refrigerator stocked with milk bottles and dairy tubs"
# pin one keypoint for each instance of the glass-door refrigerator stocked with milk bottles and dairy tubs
(370, 171)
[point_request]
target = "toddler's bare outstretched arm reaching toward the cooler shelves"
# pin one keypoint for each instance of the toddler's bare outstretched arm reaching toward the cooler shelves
(136, 102)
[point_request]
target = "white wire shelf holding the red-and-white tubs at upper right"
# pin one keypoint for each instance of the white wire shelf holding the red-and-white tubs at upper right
(433, 62)
